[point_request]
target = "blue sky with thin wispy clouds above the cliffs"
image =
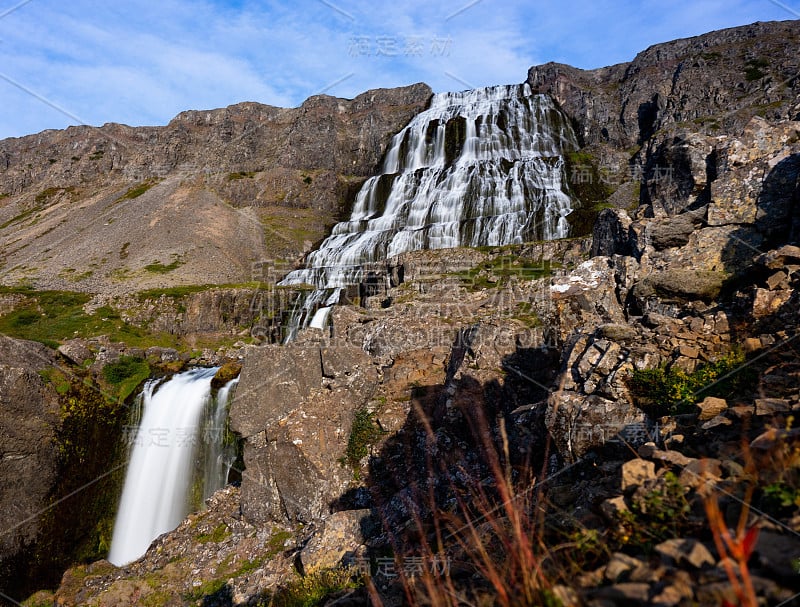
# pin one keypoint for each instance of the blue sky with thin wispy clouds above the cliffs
(141, 62)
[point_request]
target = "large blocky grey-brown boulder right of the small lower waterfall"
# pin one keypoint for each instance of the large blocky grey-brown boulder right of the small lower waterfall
(294, 406)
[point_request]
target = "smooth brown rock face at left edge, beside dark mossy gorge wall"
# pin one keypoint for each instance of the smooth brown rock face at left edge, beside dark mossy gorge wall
(29, 421)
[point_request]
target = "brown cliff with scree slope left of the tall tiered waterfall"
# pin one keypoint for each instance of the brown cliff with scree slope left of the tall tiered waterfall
(195, 202)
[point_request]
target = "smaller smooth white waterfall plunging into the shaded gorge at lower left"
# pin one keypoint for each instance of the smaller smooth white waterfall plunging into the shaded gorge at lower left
(179, 417)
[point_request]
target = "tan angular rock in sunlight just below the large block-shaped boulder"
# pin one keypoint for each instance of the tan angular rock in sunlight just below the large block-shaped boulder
(337, 541)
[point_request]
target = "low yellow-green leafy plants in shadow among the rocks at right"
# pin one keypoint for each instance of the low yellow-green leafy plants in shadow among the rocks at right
(672, 391)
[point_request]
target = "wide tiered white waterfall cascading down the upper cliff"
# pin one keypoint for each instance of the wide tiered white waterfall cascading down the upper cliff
(483, 167)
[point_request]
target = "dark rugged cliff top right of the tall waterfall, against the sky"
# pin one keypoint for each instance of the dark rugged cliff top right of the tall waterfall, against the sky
(710, 83)
